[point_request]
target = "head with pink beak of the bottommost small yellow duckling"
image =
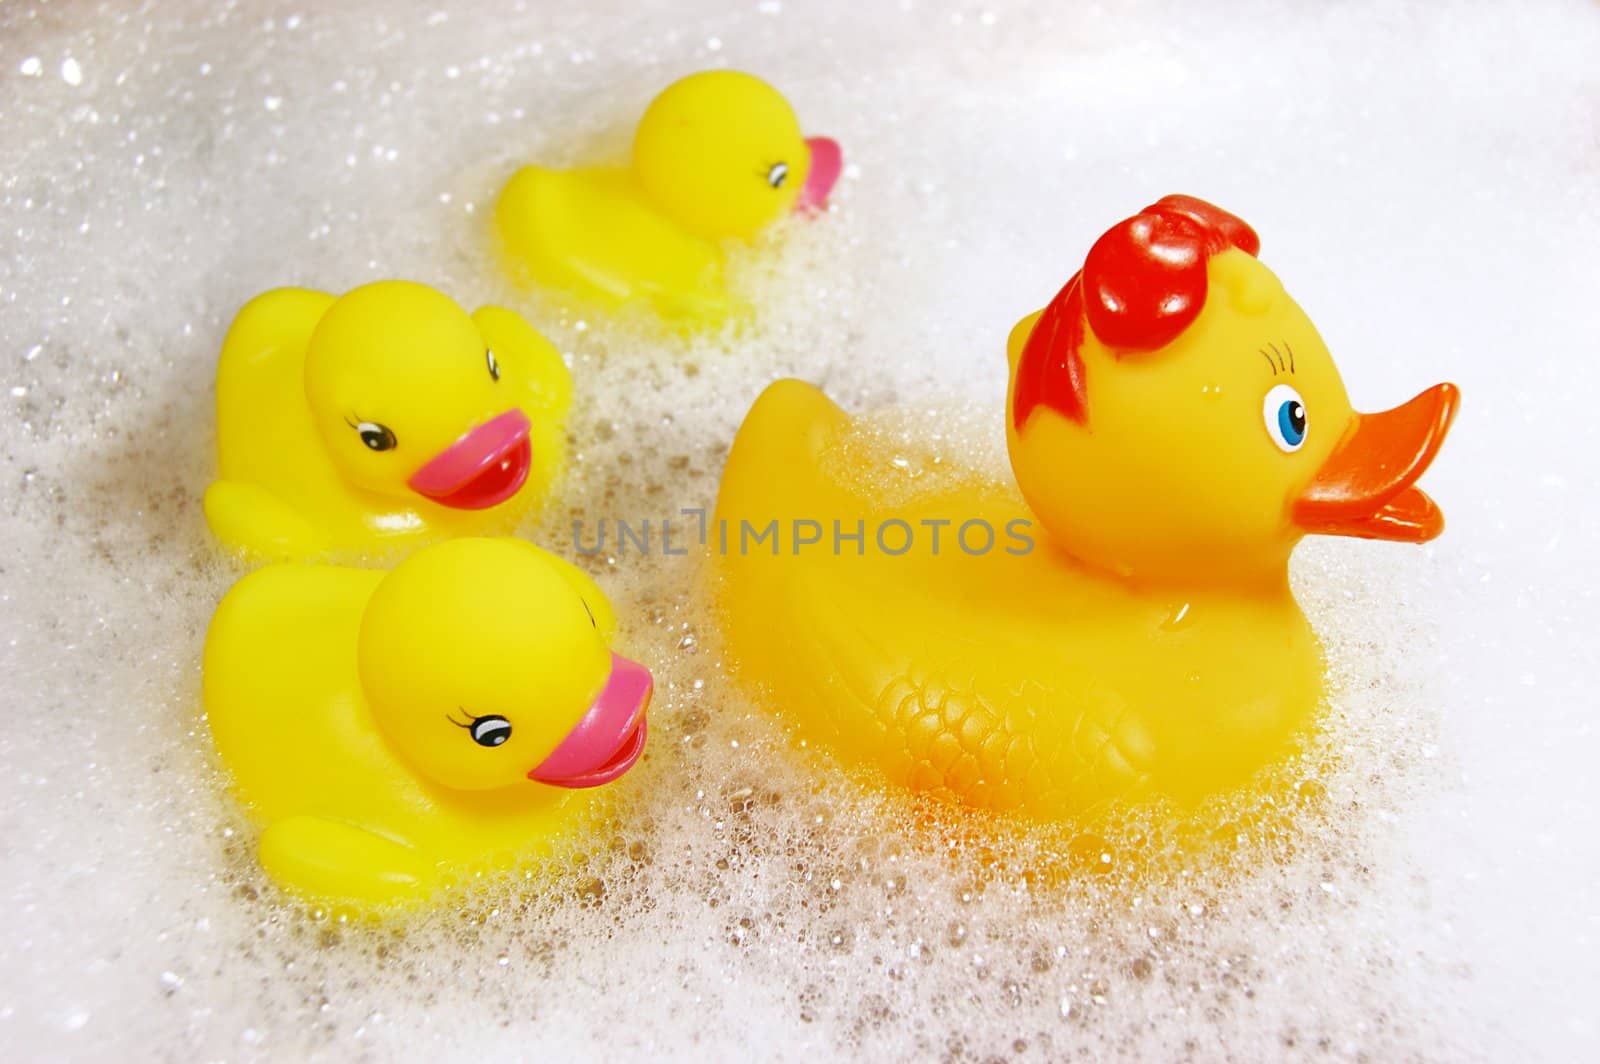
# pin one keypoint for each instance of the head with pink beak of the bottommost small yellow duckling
(487, 665)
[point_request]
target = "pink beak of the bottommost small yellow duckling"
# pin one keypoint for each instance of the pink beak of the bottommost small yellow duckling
(610, 737)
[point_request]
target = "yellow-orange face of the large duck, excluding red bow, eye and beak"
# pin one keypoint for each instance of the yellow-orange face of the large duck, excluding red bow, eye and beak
(1175, 478)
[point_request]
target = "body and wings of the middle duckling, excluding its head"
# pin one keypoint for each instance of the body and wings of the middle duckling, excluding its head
(281, 497)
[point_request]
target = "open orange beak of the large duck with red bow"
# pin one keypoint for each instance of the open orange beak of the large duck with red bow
(1367, 486)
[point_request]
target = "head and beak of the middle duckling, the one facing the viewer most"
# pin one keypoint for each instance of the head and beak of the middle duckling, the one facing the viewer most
(410, 401)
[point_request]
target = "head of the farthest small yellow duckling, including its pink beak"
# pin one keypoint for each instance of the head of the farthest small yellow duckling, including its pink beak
(722, 154)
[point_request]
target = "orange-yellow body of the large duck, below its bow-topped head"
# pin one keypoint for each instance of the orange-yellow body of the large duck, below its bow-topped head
(1009, 679)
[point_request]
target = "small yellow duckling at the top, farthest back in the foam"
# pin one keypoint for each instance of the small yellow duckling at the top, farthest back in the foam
(718, 156)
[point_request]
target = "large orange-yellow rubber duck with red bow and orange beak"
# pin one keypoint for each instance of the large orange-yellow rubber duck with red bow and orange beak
(1124, 628)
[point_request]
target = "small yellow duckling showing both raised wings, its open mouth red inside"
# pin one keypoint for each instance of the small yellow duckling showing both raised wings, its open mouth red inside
(382, 418)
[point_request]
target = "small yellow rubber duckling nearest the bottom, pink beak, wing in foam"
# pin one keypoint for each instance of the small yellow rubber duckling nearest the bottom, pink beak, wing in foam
(394, 730)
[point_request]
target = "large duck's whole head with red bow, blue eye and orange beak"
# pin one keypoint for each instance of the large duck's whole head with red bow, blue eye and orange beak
(1175, 415)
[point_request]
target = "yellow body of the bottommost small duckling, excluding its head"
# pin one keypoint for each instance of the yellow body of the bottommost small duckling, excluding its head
(305, 750)
